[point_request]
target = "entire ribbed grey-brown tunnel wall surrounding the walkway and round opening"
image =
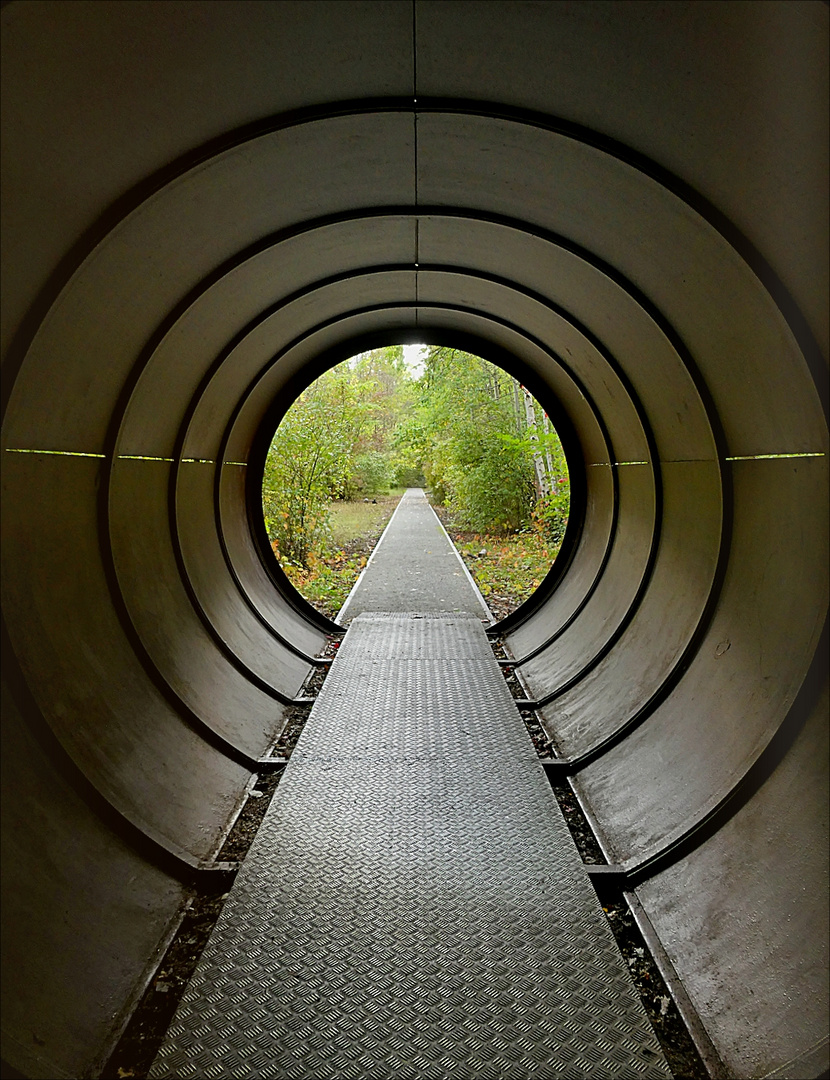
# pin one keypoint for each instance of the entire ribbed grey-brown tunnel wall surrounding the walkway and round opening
(207, 205)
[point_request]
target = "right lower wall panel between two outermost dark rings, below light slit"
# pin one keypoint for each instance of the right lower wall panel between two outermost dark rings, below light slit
(749, 668)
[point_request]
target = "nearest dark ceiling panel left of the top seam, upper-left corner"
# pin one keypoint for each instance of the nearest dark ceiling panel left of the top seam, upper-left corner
(140, 86)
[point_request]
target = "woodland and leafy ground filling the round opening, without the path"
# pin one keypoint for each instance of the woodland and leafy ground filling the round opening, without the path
(345, 450)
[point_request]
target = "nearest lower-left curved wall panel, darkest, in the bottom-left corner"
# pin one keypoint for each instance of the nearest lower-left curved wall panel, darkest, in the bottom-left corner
(86, 967)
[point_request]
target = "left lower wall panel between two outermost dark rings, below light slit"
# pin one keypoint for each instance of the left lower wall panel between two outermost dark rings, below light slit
(85, 673)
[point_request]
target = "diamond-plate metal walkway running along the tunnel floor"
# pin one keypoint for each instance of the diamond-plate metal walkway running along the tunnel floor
(414, 906)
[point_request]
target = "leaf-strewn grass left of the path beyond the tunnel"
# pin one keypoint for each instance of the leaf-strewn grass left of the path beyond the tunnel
(356, 530)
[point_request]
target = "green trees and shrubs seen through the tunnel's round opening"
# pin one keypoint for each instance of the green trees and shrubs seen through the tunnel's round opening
(461, 427)
